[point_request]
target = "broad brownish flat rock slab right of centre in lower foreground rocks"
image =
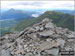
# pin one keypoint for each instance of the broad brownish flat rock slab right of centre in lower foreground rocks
(48, 45)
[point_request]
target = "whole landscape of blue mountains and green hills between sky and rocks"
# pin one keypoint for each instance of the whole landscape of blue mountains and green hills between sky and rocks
(19, 20)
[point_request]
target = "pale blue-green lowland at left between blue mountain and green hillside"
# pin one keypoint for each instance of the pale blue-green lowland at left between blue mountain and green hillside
(7, 25)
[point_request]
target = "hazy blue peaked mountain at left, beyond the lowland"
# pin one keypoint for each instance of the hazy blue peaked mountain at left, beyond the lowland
(14, 14)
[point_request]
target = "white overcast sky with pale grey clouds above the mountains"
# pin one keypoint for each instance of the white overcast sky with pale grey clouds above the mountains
(68, 5)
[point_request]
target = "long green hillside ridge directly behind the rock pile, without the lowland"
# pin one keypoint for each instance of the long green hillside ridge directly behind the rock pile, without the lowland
(60, 19)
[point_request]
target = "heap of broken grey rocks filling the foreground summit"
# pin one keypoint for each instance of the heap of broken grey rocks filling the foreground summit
(42, 39)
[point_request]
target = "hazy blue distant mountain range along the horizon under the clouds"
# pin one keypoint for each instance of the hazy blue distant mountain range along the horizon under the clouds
(15, 14)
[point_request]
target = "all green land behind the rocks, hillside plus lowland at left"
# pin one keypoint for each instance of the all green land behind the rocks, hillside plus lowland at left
(60, 19)
